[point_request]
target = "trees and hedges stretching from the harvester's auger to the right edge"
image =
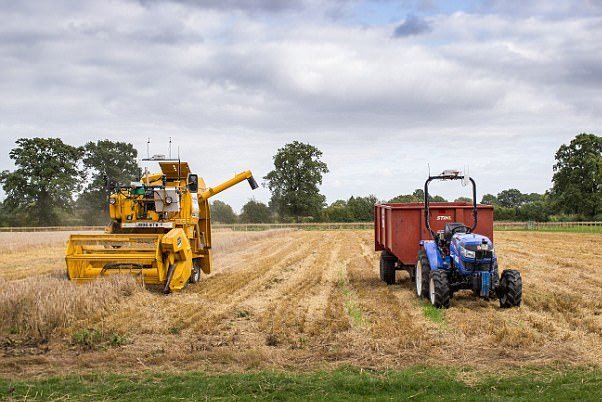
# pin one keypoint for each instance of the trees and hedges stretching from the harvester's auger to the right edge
(576, 192)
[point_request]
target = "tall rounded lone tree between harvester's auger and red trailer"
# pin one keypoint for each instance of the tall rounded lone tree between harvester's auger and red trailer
(298, 171)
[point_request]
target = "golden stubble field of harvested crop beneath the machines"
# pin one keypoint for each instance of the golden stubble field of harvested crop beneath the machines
(296, 300)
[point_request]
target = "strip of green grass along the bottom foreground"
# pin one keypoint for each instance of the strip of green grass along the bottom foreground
(418, 383)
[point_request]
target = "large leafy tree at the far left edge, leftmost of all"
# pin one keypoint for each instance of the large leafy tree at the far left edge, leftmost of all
(46, 178)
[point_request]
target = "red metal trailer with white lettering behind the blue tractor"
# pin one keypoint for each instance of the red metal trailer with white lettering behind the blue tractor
(399, 227)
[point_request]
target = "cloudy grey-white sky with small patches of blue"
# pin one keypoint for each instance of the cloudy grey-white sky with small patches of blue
(383, 88)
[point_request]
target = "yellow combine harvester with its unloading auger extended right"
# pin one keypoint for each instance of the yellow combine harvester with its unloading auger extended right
(160, 230)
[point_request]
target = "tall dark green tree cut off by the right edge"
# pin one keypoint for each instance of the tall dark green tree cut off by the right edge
(577, 180)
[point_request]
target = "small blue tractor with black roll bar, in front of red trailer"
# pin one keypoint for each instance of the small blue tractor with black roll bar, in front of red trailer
(457, 258)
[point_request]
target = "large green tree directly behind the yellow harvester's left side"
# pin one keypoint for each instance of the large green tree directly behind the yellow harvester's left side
(107, 164)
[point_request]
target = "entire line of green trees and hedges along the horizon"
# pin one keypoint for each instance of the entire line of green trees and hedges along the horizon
(58, 184)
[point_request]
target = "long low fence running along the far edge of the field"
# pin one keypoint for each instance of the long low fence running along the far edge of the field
(249, 227)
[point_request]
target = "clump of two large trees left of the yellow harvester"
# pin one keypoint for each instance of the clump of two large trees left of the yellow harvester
(59, 184)
